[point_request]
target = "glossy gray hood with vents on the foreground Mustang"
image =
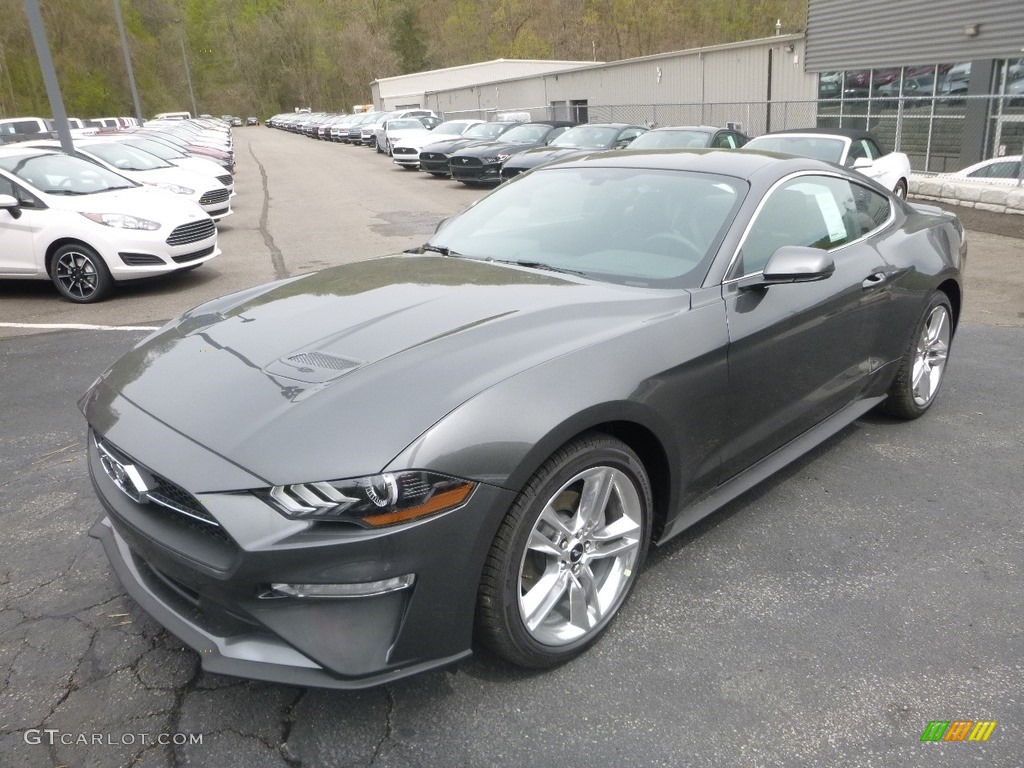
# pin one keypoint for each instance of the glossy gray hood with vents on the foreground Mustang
(332, 375)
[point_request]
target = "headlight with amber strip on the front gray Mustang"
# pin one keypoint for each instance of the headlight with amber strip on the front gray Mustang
(373, 502)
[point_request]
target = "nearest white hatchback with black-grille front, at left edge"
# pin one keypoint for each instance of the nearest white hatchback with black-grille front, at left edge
(86, 228)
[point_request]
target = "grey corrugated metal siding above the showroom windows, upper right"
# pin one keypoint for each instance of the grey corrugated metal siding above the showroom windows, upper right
(845, 35)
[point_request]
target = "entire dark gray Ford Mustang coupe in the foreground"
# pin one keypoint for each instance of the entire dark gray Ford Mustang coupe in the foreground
(351, 477)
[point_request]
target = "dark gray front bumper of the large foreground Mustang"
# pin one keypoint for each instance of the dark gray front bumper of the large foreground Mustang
(211, 590)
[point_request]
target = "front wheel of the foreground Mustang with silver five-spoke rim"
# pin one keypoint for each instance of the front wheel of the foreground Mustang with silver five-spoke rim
(567, 556)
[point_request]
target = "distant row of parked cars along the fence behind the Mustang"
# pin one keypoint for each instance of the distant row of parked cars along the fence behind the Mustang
(481, 153)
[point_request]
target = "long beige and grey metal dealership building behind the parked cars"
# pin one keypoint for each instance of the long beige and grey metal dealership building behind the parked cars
(943, 81)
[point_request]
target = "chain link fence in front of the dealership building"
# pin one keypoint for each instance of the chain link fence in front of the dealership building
(940, 135)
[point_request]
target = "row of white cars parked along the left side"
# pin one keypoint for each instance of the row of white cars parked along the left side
(126, 204)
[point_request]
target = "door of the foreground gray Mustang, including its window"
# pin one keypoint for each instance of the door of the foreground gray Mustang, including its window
(798, 353)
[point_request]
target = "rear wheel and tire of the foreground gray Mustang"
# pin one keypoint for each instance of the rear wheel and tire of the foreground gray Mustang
(924, 364)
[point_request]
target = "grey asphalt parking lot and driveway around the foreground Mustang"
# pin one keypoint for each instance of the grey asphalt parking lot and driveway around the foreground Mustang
(824, 619)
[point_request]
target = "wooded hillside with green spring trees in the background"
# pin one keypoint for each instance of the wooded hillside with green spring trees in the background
(265, 57)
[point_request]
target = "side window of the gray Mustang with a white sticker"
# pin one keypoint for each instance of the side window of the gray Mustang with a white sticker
(821, 212)
